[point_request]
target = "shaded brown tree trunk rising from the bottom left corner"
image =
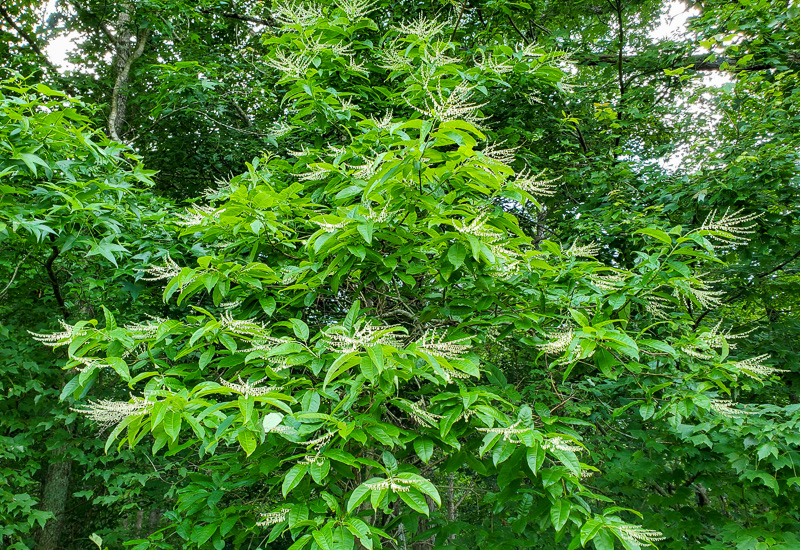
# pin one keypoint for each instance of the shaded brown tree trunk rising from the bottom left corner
(54, 499)
